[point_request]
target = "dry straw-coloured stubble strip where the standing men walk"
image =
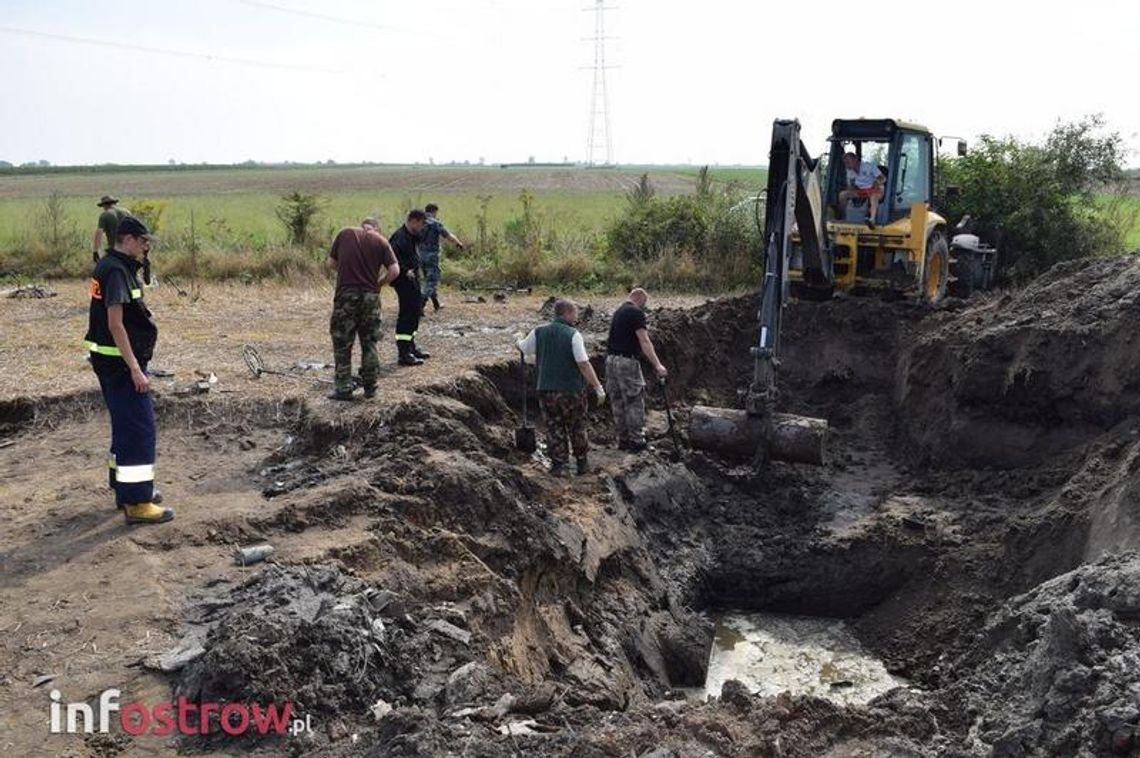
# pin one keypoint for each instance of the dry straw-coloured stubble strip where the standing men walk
(43, 354)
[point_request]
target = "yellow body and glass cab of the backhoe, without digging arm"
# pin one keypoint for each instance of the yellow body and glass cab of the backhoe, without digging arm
(905, 249)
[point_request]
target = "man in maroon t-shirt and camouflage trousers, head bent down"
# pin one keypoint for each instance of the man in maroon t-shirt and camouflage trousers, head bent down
(363, 260)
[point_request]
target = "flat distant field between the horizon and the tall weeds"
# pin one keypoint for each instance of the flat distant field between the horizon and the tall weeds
(234, 207)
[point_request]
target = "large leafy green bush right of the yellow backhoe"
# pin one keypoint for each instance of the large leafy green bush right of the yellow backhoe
(1044, 198)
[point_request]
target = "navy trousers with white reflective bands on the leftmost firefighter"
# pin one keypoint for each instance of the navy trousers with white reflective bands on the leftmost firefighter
(133, 437)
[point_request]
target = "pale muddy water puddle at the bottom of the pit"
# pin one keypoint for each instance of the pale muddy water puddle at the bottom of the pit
(772, 654)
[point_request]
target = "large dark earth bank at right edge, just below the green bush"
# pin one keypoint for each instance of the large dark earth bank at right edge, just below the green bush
(1028, 376)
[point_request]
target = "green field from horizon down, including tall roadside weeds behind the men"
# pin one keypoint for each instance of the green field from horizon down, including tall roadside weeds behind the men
(541, 224)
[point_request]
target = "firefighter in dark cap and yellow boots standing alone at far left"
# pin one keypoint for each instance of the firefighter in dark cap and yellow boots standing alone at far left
(121, 337)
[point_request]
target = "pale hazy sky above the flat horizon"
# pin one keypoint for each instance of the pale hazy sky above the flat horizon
(226, 81)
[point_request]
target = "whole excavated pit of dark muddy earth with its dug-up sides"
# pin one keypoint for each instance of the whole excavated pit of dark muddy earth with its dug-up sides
(493, 610)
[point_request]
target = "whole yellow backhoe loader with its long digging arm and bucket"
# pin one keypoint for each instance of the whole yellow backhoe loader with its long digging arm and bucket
(816, 244)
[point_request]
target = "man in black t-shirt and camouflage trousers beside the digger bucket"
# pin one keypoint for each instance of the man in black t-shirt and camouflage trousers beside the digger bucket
(624, 381)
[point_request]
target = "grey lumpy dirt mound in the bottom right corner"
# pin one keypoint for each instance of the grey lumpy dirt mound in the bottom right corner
(1055, 672)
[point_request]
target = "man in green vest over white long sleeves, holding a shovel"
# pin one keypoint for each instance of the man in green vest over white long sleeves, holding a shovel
(564, 376)
